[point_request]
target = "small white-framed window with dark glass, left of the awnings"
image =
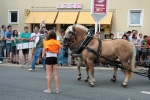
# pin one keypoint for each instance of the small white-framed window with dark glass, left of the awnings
(13, 17)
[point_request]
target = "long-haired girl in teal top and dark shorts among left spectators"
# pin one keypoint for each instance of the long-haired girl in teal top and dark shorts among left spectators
(15, 52)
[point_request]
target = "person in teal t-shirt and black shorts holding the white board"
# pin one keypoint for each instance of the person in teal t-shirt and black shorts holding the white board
(25, 37)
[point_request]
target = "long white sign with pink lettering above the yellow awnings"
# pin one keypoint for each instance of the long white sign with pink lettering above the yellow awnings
(78, 5)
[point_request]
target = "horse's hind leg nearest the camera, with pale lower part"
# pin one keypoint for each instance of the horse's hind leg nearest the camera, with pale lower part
(125, 64)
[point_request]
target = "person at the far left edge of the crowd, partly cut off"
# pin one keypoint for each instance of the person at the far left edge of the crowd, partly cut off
(2, 43)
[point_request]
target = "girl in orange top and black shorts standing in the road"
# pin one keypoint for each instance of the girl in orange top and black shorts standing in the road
(50, 50)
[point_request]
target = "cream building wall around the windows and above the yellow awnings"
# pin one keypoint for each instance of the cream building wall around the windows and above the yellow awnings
(120, 8)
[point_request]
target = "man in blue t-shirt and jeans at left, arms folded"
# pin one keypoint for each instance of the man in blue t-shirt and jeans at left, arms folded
(8, 35)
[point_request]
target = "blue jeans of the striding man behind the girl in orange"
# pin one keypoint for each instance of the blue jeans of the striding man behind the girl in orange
(37, 53)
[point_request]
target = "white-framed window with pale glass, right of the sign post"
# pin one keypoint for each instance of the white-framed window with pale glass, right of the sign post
(135, 18)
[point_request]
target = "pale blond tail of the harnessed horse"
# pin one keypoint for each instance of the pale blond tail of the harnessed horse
(132, 61)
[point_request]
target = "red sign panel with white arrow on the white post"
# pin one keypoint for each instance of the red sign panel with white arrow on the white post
(100, 6)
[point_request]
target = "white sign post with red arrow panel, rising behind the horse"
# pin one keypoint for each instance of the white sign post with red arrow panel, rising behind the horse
(99, 10)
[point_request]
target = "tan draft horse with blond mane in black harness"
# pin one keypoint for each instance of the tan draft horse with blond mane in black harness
(111, 49)
